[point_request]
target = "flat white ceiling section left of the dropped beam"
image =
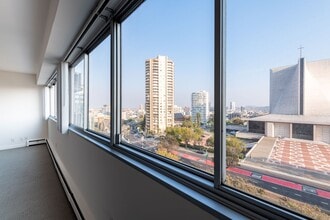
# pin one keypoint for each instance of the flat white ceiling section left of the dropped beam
(22, 25)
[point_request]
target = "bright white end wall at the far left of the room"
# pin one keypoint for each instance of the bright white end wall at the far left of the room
(21, 110)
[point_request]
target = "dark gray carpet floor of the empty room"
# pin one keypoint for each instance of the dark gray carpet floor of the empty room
(30, 187)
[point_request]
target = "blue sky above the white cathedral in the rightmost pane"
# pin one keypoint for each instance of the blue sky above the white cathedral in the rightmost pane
(261, 36)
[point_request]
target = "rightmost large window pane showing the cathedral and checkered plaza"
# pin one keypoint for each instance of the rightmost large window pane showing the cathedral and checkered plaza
(278, 103)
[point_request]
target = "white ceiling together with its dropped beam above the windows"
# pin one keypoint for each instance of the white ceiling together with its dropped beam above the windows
(35, 34)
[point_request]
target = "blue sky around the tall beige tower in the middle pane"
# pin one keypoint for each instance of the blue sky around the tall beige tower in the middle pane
(181, 31)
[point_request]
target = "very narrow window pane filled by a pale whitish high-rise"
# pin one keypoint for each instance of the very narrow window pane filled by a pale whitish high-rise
(78, 94)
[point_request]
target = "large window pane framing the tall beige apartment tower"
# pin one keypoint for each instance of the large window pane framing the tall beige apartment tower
(167, 80)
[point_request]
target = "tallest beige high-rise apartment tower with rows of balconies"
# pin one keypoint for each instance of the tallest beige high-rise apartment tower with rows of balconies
(159, 94)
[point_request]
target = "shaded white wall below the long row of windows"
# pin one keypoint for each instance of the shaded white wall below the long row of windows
(107, 188)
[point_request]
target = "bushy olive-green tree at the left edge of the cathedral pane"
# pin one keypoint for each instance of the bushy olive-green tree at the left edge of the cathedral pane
(234, 150)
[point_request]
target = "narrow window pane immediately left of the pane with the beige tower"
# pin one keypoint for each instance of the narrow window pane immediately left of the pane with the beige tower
(99, 88)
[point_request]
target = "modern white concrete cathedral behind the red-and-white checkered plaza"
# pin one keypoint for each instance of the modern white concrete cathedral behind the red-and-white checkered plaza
(299, 102)
